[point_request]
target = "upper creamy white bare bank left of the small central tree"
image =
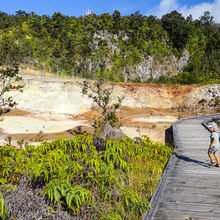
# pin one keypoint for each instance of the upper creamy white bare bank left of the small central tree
(56, 97)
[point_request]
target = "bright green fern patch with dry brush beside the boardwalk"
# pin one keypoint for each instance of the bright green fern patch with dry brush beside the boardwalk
(80, 178)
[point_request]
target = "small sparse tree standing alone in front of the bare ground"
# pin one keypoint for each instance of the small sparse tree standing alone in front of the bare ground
(103, 98)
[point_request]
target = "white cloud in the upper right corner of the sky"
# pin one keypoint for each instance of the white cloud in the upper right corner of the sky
(196, 11)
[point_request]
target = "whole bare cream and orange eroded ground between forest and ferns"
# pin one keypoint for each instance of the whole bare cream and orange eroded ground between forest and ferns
(53, 106)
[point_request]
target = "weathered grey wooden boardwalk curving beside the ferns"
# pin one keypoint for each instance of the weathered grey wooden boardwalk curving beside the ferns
(188, 189)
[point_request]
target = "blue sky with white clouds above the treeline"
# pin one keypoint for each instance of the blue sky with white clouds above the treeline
(146, 7)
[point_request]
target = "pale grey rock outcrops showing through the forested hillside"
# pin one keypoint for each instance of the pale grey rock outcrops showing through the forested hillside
(149, 67)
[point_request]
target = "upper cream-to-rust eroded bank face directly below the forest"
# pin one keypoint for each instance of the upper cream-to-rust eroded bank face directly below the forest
(62, 98)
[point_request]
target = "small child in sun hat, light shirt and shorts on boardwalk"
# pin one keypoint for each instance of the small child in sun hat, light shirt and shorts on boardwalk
(214, 145)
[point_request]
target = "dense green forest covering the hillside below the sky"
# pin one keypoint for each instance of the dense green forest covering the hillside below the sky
(111, 46)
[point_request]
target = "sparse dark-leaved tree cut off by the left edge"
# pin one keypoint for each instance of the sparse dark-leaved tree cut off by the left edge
(8, 81)
